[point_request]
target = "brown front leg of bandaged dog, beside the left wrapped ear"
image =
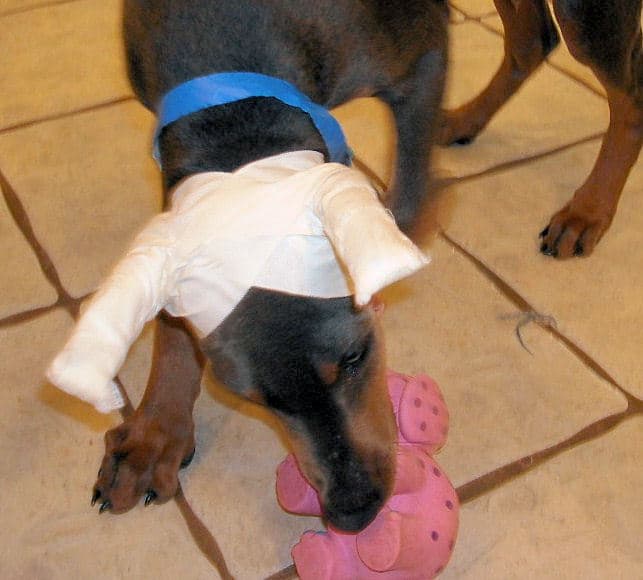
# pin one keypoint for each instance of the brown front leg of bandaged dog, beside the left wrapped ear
(143, 455)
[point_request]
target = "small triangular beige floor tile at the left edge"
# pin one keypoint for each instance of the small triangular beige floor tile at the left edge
(22, 284)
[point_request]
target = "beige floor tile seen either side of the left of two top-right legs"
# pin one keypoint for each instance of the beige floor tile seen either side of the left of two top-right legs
(549, 111)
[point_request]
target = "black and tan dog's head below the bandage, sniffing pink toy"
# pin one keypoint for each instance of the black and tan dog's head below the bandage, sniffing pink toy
(318, 365)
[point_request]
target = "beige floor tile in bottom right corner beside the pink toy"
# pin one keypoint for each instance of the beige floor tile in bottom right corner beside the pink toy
(578, 516)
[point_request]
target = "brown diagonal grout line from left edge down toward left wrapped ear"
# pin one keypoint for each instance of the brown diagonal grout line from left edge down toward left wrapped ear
(20, 217)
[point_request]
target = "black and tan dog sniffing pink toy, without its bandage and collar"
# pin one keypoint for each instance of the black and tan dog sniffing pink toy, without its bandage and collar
(317, 363)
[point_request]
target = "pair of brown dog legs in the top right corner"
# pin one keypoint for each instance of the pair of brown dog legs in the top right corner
(606, 36)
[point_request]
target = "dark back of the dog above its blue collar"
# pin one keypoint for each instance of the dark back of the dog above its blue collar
(331, 50)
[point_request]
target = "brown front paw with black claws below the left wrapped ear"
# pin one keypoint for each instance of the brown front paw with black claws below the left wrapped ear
(142, 458)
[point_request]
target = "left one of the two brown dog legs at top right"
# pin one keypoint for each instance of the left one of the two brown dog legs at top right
(530, 35)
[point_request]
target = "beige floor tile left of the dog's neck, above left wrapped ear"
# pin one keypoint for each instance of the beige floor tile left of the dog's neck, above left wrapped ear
(91, 185)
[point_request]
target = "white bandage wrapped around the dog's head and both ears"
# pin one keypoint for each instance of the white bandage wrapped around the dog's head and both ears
(290, 223)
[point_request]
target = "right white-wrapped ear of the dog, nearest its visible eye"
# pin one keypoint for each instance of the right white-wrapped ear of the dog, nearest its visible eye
(366, 238)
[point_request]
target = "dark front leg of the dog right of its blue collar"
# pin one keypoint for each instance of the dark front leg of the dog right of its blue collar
(415, 103)
